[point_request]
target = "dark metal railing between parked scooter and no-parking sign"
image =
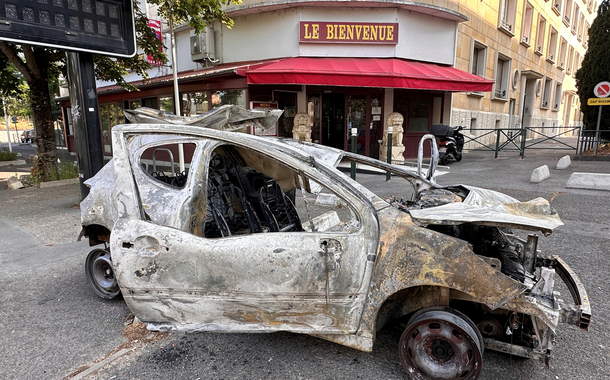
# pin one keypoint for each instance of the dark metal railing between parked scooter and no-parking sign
(520, 139)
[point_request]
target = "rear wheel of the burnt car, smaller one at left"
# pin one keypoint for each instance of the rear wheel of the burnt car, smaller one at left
(99, 271)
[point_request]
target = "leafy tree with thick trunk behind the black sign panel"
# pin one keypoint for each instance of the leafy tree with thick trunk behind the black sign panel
(39, 66)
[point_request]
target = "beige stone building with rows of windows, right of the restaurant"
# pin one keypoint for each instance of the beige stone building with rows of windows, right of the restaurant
(532, 49)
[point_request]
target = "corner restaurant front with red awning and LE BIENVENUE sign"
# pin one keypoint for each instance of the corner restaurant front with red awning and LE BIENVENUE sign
(345, 64)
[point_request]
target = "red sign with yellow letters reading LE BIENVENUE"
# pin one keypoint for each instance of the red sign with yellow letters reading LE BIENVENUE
(348, 32)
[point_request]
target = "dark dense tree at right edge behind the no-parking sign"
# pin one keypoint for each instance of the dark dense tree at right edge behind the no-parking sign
(595, 68)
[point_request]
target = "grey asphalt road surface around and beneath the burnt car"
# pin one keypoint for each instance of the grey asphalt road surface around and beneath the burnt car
(52, 325)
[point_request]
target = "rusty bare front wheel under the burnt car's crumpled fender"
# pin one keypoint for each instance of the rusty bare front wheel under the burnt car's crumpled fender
(441, 344)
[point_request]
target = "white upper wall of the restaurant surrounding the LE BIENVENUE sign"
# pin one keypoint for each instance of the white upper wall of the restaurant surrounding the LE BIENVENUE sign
(275, 34)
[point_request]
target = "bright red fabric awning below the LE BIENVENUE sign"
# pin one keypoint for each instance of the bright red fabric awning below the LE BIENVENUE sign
(366, 72)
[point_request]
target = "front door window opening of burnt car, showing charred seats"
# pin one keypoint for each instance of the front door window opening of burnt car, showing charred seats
(248, 193)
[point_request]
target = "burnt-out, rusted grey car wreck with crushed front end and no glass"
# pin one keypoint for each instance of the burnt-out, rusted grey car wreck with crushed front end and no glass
(255, 234)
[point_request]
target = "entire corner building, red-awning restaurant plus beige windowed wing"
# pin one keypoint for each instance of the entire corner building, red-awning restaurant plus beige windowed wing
(482, 64)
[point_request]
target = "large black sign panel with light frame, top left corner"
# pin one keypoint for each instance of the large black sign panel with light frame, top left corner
(94, 26)
